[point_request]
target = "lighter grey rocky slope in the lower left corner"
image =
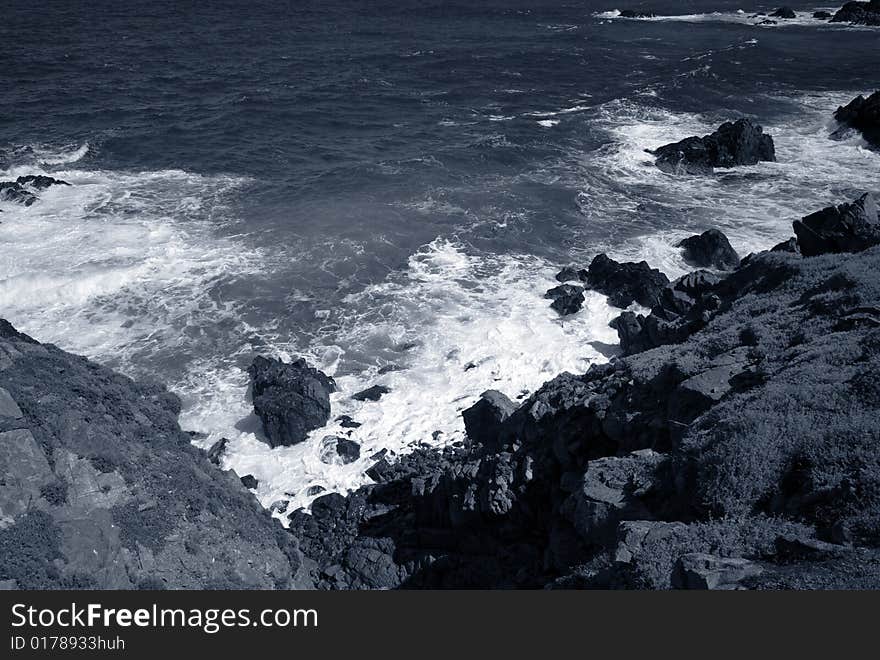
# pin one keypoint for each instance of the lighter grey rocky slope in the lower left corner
(99, 487)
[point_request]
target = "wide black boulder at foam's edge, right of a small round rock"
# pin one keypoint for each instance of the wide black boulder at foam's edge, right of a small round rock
(625, 283)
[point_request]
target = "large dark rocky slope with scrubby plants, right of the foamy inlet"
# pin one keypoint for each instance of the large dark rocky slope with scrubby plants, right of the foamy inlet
(742, 457)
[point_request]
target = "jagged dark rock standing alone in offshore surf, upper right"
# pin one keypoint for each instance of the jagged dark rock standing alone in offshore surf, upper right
(734, 143)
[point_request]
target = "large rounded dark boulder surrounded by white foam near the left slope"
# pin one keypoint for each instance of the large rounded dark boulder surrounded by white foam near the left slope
(290, 399)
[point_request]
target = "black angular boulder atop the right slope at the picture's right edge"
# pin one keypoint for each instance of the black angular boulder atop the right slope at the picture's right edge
(845, 228)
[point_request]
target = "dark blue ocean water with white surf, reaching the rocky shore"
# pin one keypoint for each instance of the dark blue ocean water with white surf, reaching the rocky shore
(385, 187)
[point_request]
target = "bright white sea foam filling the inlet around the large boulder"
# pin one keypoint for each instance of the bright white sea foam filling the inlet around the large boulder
(477, 323)
